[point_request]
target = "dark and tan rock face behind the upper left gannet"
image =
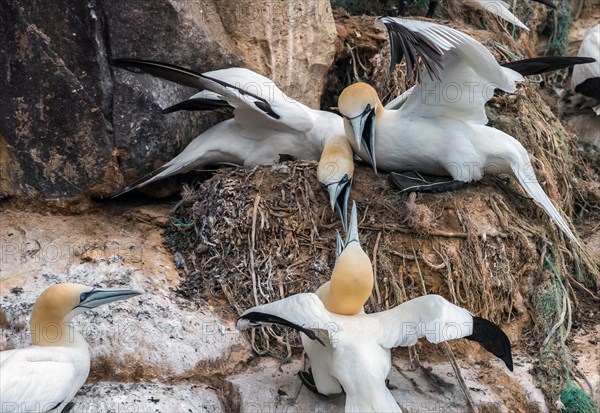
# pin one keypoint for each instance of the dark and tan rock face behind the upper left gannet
(73, 125)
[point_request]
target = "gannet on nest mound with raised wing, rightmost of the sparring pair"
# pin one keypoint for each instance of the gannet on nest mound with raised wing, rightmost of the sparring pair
(439, 128)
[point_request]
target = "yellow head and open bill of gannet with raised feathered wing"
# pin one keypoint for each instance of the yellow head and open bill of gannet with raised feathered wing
(358, 104)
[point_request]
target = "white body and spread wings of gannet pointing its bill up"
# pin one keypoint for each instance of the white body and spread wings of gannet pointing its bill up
(356, 356)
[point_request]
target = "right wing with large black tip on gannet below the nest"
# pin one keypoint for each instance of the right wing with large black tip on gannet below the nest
(438, 320)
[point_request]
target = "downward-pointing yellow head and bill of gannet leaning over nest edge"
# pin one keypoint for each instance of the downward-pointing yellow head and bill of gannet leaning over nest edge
(335, 171)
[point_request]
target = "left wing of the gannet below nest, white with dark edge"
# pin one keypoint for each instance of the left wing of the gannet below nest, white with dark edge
(303, 312)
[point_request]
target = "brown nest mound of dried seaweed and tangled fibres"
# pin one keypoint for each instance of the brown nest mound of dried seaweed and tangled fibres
(256, 235)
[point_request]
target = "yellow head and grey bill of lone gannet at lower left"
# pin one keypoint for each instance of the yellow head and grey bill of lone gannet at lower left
(59, 303)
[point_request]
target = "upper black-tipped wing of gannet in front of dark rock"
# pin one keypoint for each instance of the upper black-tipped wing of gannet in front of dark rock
(252, 95)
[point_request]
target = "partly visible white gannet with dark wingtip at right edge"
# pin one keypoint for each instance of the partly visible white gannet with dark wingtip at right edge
(586, 78)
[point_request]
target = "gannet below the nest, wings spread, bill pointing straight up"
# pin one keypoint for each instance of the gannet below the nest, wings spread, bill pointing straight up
(350, 350)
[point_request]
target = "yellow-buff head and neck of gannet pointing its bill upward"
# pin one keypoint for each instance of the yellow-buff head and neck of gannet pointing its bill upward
(351, 282)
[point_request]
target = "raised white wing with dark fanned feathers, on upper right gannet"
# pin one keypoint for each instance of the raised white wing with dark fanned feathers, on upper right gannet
(460, 74)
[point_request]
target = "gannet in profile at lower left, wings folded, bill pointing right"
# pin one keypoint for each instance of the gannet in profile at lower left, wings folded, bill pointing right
(45, 376)
